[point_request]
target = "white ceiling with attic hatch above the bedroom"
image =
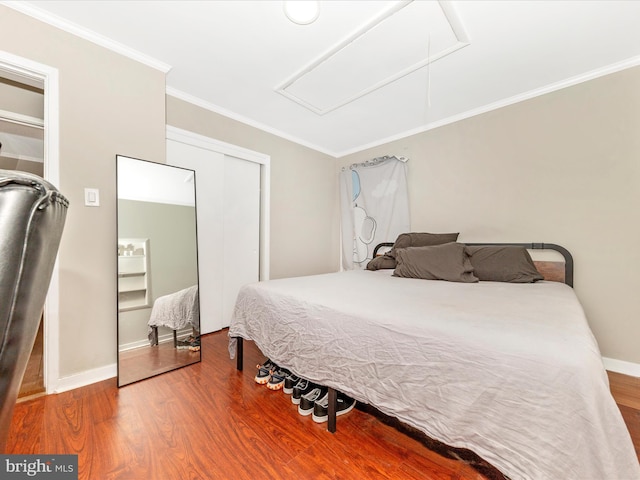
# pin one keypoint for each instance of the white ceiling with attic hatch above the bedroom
(360, 75)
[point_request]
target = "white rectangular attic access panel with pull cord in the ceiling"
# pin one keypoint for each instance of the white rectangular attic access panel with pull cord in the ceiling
(401, 40)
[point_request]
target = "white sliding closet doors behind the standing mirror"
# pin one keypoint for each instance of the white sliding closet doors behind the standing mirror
(228, 215)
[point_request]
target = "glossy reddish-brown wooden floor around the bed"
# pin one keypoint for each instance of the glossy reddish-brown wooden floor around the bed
(209, 421)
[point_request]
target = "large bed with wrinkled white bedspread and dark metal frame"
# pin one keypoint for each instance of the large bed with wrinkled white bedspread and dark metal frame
(510, 371)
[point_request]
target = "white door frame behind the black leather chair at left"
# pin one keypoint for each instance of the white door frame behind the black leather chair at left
(47, 76)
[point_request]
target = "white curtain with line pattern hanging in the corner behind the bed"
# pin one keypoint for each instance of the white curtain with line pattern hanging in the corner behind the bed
(374, 207)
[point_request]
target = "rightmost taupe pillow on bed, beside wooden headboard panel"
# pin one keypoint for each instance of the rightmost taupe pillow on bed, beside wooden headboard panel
(503, 264)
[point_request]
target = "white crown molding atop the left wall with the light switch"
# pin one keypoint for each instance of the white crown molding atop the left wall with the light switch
(85, 33)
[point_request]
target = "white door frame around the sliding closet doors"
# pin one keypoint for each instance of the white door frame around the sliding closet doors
(208, 143)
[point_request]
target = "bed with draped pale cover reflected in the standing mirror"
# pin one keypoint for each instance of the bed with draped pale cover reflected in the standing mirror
(175, 311)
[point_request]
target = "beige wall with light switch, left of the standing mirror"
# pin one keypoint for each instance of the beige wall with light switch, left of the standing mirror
(109, 104)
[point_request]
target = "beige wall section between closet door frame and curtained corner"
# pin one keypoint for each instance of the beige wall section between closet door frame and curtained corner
(304, 196)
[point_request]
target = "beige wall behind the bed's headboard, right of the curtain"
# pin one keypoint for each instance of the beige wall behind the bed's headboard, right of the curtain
(562, 168)
